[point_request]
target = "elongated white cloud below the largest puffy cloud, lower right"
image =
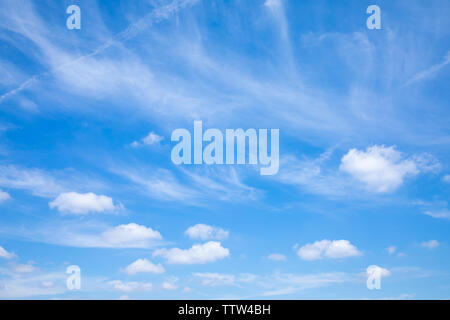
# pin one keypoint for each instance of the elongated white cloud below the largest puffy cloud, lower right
(328, 249)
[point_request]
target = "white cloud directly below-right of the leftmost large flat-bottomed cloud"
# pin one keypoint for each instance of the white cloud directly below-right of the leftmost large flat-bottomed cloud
(130, 235)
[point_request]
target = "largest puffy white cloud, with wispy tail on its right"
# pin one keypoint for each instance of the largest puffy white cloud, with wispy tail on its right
(383, 169)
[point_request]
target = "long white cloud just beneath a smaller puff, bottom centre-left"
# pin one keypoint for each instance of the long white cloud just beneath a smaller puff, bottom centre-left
(198, 254)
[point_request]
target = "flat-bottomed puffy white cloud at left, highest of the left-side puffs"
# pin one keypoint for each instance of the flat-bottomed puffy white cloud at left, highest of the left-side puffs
(82, 203)
